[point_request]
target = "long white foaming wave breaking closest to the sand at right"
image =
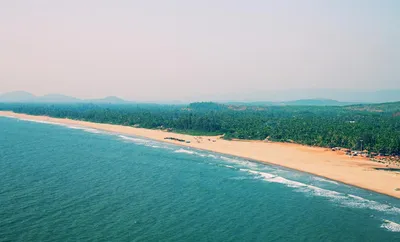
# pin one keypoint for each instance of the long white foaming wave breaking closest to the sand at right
(347, 200)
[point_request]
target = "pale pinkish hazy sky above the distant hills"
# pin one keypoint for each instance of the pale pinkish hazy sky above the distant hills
(181, 50)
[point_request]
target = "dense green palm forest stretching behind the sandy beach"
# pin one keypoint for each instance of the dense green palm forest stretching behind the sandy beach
(375, 127)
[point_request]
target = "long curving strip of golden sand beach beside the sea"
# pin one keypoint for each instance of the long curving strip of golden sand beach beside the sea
(359, 172)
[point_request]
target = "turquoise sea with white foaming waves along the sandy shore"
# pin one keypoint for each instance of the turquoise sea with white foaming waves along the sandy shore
(62, 183)
